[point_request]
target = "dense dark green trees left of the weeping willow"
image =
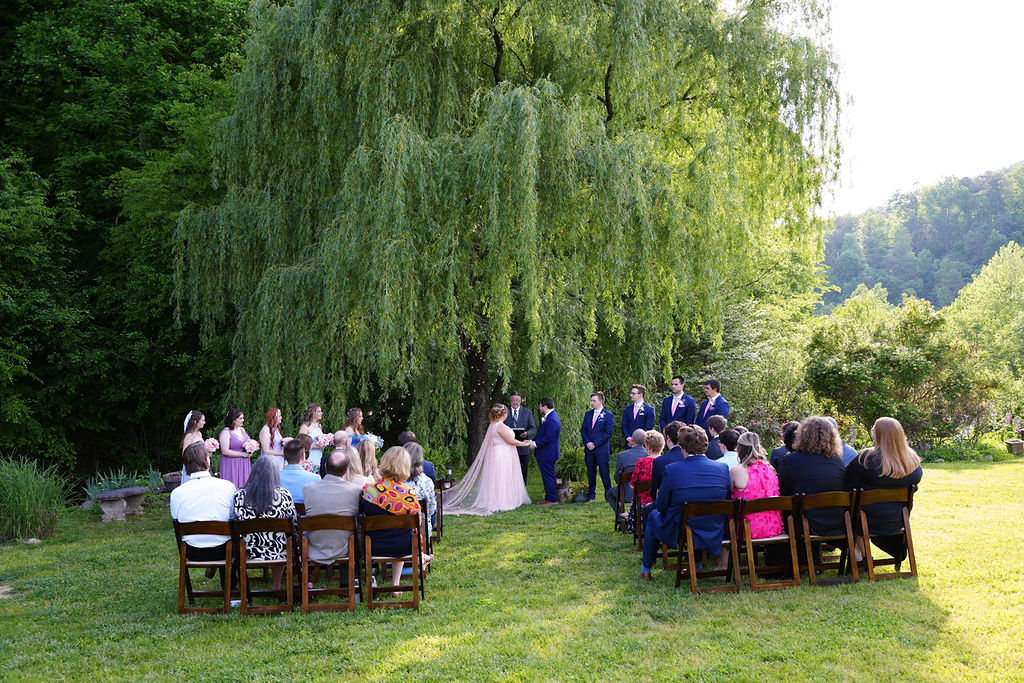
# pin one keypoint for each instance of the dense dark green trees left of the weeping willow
(105, 139)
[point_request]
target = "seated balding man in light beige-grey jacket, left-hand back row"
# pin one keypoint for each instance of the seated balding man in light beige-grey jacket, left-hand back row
(334, 496)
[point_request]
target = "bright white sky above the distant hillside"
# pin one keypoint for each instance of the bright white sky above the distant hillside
(936, 89)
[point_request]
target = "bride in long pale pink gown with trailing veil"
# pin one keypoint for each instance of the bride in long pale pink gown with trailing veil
(494, 482)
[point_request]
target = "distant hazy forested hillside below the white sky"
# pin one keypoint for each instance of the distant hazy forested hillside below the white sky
(928, 243)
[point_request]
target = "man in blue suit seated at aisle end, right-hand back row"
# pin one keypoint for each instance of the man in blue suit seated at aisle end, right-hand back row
(695, 480)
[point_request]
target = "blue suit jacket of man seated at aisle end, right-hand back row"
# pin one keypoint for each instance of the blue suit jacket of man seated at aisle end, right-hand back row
(696, 480)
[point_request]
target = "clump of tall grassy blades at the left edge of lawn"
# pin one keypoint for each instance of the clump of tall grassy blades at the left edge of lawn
(31, 499)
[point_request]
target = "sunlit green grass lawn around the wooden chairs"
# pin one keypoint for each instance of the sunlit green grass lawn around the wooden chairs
(539, 593)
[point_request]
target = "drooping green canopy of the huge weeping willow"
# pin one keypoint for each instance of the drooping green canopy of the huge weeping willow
(438, 199)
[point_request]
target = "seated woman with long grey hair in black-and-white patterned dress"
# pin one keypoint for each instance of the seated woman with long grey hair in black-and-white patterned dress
(265, 498)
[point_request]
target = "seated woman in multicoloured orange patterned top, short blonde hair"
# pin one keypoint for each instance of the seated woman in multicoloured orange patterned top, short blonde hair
(390, 496)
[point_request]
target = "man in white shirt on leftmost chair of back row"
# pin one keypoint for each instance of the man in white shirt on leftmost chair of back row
(203, 499)
